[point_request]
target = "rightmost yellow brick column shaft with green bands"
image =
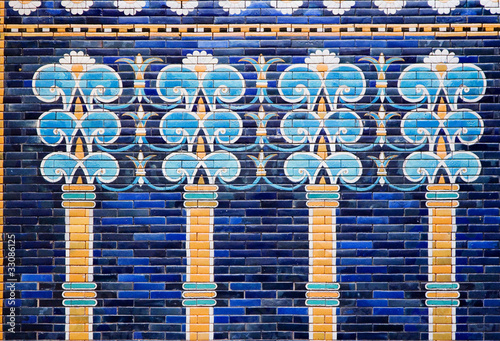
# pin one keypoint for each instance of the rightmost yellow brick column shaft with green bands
(442, 290)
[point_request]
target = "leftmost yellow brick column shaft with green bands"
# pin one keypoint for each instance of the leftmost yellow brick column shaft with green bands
(79, 290)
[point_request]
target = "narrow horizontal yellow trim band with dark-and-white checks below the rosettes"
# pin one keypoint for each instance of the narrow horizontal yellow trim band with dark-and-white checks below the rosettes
(325, 30)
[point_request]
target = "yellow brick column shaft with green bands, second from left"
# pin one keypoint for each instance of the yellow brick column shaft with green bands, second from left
(199, 289)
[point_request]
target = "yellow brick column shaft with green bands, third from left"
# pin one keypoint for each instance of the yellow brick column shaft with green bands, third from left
(322, 289)
